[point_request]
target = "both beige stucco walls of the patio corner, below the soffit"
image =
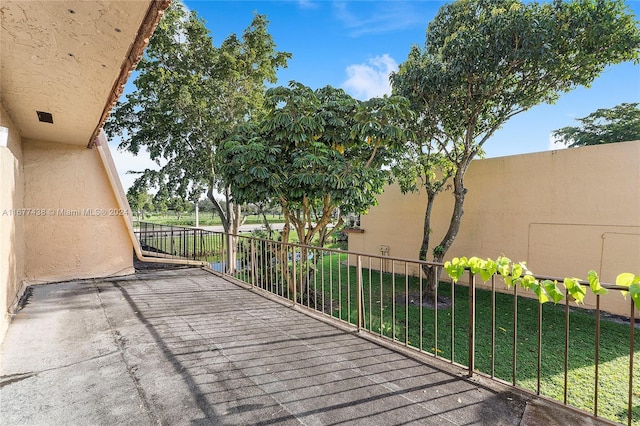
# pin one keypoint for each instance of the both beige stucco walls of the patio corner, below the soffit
(59, 218)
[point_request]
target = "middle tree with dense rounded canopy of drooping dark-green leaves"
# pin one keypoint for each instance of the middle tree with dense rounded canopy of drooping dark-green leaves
(315, 152)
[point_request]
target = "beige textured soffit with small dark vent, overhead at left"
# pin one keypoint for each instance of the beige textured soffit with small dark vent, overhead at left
(66, 58)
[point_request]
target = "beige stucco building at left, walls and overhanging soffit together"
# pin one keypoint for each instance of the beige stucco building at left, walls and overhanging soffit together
(71, 60)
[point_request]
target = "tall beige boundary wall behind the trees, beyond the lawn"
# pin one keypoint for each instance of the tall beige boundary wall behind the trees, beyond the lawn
(563, 212)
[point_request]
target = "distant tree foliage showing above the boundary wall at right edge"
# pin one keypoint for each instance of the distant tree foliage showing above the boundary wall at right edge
(618, 124)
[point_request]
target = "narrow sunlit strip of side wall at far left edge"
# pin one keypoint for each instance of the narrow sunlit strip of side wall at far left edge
(11, 225)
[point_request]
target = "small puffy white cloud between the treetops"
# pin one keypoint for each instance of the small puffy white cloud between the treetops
(370, 79)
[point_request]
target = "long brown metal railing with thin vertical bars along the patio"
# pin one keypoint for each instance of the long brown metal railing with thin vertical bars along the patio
(501, 335)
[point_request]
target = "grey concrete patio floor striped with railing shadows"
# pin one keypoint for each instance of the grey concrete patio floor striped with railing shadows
(185, 347)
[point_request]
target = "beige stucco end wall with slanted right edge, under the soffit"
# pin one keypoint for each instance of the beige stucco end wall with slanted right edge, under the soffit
(80, 233)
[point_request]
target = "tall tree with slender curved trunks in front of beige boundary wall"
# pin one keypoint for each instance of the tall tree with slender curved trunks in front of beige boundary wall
(485, 61)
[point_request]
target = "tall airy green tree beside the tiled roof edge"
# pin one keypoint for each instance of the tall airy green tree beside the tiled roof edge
(189, 96)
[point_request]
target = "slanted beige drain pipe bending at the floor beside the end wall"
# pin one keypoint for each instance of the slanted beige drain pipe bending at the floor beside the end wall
(123, 205)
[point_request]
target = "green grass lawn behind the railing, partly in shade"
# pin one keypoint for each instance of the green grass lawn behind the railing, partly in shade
(401, 321)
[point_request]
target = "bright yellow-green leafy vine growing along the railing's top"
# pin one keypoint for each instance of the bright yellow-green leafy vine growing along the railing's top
(517, 274)
